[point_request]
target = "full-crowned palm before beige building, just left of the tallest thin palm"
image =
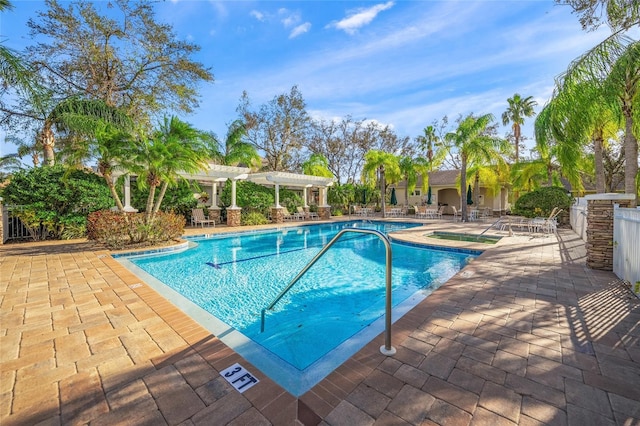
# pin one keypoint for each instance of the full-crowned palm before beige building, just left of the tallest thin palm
(473, 142)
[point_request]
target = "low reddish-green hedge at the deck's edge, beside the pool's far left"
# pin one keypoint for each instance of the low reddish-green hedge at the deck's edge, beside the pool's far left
(118, 230)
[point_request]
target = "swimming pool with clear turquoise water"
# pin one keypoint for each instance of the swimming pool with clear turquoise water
(224, 281)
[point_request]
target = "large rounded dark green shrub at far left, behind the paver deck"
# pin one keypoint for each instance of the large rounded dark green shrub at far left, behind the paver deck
(56, 200)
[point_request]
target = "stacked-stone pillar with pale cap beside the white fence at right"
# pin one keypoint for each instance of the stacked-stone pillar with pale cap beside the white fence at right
(600, 228)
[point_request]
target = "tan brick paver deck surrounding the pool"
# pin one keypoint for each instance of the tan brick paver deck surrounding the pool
(526, 334)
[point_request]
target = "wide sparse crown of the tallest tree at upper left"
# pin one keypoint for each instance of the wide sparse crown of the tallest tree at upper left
(122, 57)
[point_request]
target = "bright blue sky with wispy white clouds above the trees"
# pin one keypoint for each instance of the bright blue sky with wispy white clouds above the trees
(401, 63)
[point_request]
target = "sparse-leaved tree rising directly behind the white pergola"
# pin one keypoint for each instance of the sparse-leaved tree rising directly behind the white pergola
(278, 128)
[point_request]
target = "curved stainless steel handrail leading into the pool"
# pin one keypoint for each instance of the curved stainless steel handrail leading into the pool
(386, 349)
